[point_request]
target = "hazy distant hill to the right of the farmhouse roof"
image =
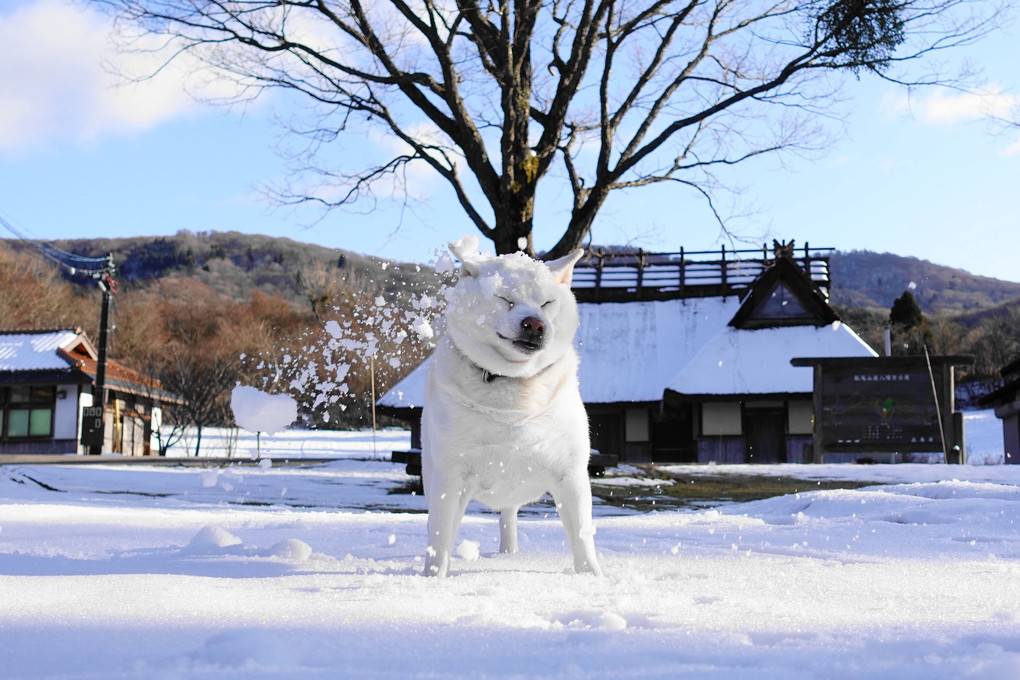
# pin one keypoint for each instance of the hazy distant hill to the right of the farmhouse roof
(875, 281)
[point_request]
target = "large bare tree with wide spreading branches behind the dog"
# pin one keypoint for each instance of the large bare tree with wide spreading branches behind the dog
(499, 96)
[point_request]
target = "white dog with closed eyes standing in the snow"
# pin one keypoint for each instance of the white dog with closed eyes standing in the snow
(503, 421)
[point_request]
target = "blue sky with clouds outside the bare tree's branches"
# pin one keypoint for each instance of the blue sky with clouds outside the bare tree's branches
(80, 158)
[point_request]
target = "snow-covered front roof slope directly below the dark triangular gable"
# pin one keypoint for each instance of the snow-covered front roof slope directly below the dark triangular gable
(757, 362)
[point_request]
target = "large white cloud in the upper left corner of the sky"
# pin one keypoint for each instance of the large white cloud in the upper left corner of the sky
(58, 86)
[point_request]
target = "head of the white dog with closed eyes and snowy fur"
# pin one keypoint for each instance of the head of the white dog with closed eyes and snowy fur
(512, 316)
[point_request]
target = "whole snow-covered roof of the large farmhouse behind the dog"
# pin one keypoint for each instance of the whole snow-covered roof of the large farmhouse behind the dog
(634, 351)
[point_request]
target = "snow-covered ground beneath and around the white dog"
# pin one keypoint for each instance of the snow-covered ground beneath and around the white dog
(307, 572)
